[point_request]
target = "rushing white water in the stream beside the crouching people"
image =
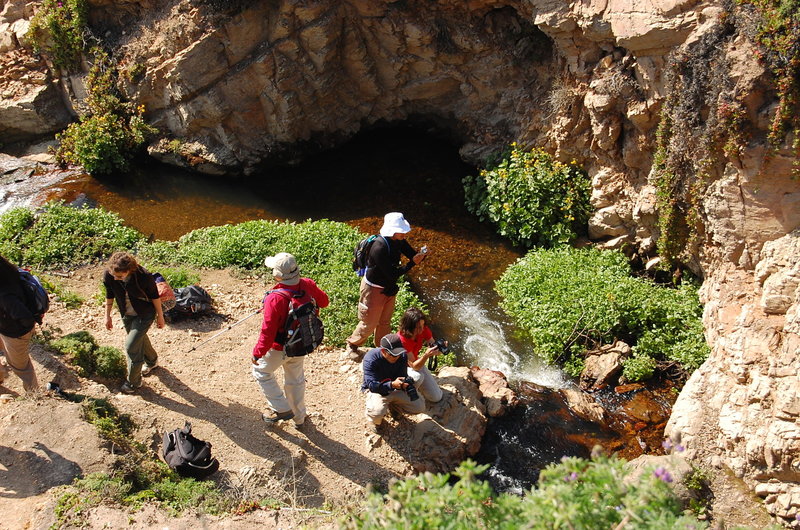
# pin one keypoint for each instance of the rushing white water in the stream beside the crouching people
(484, 341)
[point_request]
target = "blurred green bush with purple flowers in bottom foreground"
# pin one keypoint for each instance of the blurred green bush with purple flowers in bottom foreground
(575, 494)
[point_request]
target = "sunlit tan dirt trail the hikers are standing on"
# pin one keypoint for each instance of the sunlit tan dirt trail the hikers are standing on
(329, 460)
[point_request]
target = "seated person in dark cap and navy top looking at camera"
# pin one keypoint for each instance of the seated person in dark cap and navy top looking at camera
(387, 382)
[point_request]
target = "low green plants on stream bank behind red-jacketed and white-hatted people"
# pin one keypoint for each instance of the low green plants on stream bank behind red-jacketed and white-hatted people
(323, 250)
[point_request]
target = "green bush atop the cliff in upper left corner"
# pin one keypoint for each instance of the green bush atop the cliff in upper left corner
(59, 28)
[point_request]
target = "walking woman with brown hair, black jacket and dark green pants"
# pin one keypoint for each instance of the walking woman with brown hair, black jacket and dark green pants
(136, 294)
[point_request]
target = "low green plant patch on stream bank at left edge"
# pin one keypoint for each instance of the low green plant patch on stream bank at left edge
(61, 235)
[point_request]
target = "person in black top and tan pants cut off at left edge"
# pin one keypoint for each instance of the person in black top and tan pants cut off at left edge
(16, 325)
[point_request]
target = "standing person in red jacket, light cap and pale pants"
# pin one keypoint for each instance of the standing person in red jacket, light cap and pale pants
(268, 354)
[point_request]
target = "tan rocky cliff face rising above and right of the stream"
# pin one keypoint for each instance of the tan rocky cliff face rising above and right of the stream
(252, 82)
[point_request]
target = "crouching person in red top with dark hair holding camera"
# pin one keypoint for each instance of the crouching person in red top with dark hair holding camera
(414, 333)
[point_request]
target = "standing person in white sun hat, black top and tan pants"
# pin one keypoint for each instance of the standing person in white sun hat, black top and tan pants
(379, 284)
